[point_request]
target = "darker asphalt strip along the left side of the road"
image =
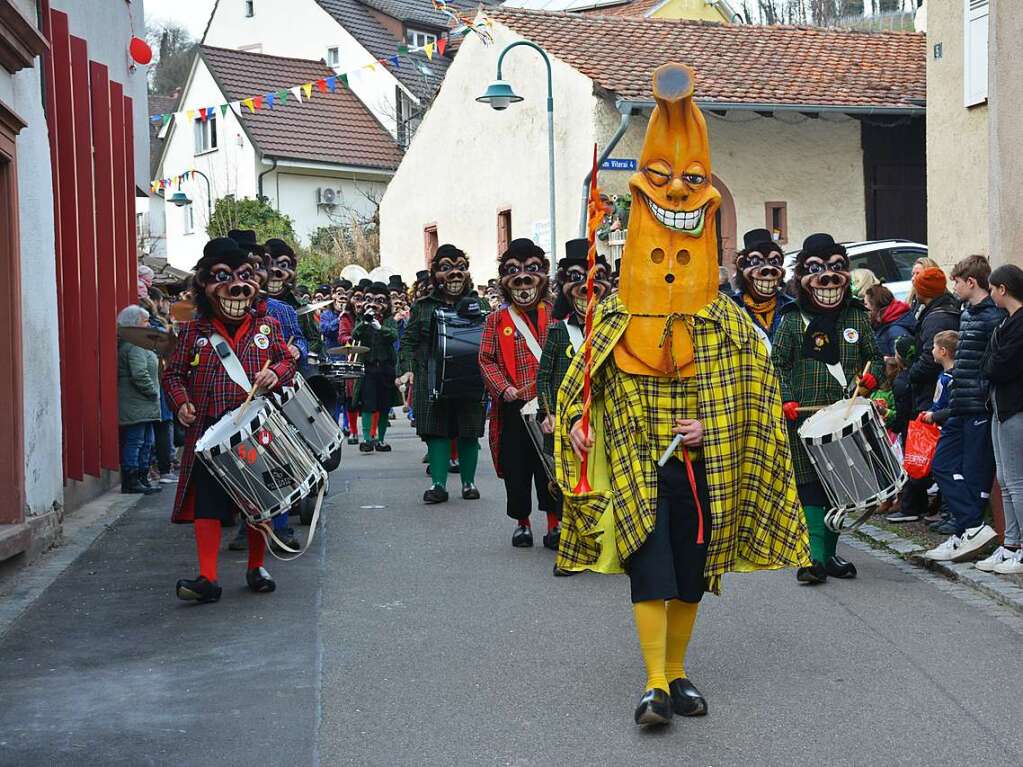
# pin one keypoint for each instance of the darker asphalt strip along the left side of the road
(110, 631)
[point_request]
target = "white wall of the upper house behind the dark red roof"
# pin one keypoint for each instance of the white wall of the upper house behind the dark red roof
(301, 29)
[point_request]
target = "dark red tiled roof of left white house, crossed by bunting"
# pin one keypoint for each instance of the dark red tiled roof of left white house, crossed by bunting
(333, 128)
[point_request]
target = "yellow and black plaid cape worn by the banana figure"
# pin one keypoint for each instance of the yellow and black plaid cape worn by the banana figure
(757, 518)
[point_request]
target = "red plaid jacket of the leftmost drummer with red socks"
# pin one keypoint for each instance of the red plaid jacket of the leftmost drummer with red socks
(195, 374)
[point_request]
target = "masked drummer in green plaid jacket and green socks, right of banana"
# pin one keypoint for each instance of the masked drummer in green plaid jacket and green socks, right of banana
(822, 347)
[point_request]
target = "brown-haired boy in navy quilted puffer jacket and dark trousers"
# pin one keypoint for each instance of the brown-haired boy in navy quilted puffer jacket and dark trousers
(964, 463)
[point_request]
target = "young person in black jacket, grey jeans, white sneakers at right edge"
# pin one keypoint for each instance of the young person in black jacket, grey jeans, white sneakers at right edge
(1004, 369)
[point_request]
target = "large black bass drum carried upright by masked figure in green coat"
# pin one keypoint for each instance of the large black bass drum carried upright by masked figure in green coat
(454, 368)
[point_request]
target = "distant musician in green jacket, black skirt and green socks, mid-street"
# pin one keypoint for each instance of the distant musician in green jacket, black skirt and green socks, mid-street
(377, 393)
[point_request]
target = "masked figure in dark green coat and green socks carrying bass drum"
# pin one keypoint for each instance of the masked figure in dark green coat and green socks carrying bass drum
(438, 423)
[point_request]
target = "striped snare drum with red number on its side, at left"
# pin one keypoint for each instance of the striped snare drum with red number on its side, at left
(260, 461)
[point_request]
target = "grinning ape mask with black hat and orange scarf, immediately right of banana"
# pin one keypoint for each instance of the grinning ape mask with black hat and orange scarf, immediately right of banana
(760, 270)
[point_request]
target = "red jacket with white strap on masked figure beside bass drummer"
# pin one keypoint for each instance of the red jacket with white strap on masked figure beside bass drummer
(498, 377)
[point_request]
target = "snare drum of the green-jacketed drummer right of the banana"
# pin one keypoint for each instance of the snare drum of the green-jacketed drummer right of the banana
(855, 461)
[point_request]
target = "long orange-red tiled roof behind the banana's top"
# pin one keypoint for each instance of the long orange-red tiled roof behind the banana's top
(736, 64)
